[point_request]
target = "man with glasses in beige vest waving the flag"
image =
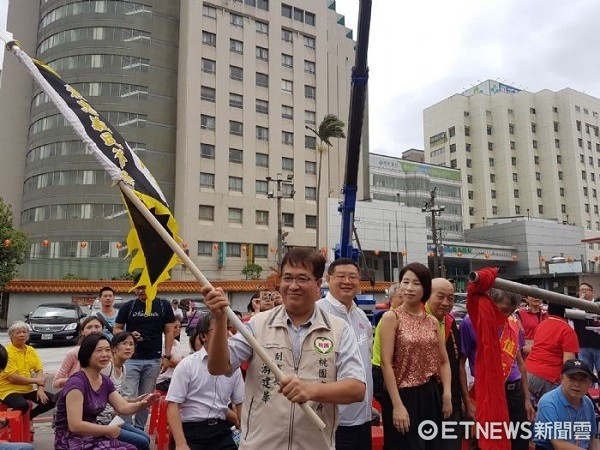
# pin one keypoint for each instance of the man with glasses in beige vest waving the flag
(317, 351)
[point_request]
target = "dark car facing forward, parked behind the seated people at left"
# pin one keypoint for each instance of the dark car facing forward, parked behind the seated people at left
(54, 322)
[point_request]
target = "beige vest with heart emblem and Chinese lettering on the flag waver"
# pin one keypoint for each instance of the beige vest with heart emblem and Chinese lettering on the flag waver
(269, 419)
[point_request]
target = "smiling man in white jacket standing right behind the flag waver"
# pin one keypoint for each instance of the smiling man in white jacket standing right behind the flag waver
(343, 278)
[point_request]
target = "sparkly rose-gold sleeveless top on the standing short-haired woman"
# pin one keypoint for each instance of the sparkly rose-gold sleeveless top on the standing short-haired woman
(416, 350)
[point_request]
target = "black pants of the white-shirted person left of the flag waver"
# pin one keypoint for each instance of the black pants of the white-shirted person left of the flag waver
(214, 434)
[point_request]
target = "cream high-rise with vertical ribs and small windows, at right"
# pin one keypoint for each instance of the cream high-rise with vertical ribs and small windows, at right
(521, 153)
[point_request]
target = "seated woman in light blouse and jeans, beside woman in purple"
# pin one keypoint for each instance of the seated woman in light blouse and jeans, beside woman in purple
(122, 346)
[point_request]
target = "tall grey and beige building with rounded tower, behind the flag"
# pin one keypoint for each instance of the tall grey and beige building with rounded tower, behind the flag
(214, 96)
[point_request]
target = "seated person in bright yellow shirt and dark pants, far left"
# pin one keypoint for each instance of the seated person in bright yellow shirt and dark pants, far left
(23, 370)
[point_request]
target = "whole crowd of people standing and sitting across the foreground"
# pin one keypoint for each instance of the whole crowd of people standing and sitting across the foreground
(414, 361)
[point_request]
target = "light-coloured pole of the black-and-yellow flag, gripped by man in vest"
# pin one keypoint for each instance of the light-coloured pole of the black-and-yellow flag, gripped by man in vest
(258, 349)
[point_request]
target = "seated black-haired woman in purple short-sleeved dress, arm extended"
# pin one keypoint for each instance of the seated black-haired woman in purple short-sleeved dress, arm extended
(85, 396)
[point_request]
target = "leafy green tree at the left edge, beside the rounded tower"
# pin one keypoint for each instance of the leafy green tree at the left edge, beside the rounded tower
(13, 245)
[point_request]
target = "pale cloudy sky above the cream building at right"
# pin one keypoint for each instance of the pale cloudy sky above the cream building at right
(423, 52)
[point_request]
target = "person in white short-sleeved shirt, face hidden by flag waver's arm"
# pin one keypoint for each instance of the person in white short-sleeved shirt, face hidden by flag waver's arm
(198, 413)
